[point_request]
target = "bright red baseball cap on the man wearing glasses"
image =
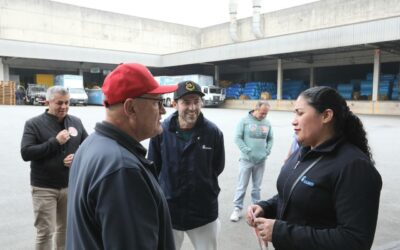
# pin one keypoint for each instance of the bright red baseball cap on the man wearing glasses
(131, 80)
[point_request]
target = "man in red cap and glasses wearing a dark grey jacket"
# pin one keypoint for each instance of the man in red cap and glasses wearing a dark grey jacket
(115, 201)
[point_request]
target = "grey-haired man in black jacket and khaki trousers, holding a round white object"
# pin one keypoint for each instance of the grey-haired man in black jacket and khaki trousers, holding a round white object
(49, 141)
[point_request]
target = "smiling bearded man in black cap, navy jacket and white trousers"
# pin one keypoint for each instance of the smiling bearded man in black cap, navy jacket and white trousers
(190, 156)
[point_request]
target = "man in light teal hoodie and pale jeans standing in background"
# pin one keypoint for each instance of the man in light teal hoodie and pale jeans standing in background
(254, 138)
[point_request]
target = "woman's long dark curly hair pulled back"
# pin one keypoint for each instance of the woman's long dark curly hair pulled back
(344, 121)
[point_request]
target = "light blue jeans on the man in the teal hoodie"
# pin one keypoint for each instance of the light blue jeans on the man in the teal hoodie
(247, 169)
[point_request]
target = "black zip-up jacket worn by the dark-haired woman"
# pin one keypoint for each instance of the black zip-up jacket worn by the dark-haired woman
(334, 205)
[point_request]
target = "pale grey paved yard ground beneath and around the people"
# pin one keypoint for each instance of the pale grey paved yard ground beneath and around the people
(16, 215)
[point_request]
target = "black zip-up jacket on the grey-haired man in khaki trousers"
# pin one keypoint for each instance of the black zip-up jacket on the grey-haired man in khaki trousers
(40, 146)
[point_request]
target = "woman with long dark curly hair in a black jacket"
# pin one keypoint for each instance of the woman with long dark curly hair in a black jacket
(328, 190)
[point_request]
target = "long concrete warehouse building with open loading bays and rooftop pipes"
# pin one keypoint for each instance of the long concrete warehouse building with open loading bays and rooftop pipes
(351, 45)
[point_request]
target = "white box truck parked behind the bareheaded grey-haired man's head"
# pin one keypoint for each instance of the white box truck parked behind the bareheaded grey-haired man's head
(74, 84)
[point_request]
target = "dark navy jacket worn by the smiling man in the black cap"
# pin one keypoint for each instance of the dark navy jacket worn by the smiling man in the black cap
(189, 171)
